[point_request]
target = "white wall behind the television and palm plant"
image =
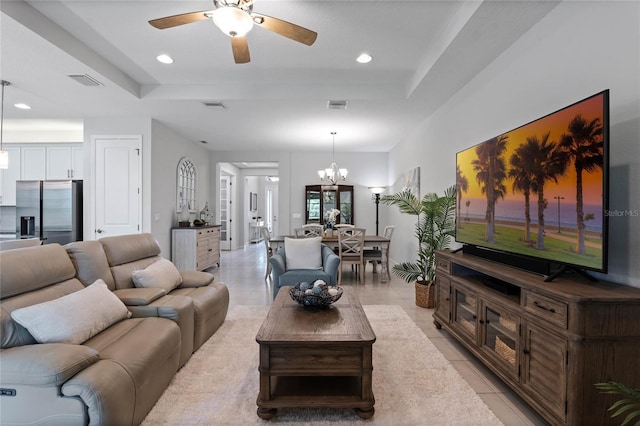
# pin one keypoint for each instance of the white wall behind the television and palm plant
(579, 49)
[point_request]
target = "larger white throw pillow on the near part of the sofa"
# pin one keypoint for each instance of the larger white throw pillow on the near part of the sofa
(73, 318)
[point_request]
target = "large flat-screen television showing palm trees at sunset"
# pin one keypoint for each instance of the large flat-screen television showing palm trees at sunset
(535, 197)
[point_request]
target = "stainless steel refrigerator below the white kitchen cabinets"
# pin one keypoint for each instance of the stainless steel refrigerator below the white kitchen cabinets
(50, 210)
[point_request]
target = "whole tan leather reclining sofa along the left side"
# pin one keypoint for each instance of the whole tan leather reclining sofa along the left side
(117, 375)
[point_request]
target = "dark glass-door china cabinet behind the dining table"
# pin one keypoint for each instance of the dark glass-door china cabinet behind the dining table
(320, 199)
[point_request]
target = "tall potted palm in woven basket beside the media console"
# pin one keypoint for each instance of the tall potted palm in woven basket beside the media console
(434, 229)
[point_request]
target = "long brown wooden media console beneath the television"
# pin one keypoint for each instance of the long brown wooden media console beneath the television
(549, 341)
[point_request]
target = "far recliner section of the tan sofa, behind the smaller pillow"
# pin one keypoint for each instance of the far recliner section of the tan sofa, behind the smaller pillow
(113, 259)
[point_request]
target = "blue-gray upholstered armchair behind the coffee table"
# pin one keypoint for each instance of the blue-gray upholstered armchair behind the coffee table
(283, 277)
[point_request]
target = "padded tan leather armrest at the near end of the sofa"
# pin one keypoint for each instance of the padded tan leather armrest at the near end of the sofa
(46, 364)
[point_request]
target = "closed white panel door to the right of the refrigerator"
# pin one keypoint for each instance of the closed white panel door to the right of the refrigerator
(118, 190)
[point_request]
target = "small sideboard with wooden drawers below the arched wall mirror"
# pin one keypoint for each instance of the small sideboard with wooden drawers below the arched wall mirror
(195, 248)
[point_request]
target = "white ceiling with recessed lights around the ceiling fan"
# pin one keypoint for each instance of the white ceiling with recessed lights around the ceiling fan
(423, 53)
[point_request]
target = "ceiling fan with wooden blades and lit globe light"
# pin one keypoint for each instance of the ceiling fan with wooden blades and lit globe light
(235, 18)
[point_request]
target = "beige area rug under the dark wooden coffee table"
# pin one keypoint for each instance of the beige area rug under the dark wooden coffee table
(413, 383)
